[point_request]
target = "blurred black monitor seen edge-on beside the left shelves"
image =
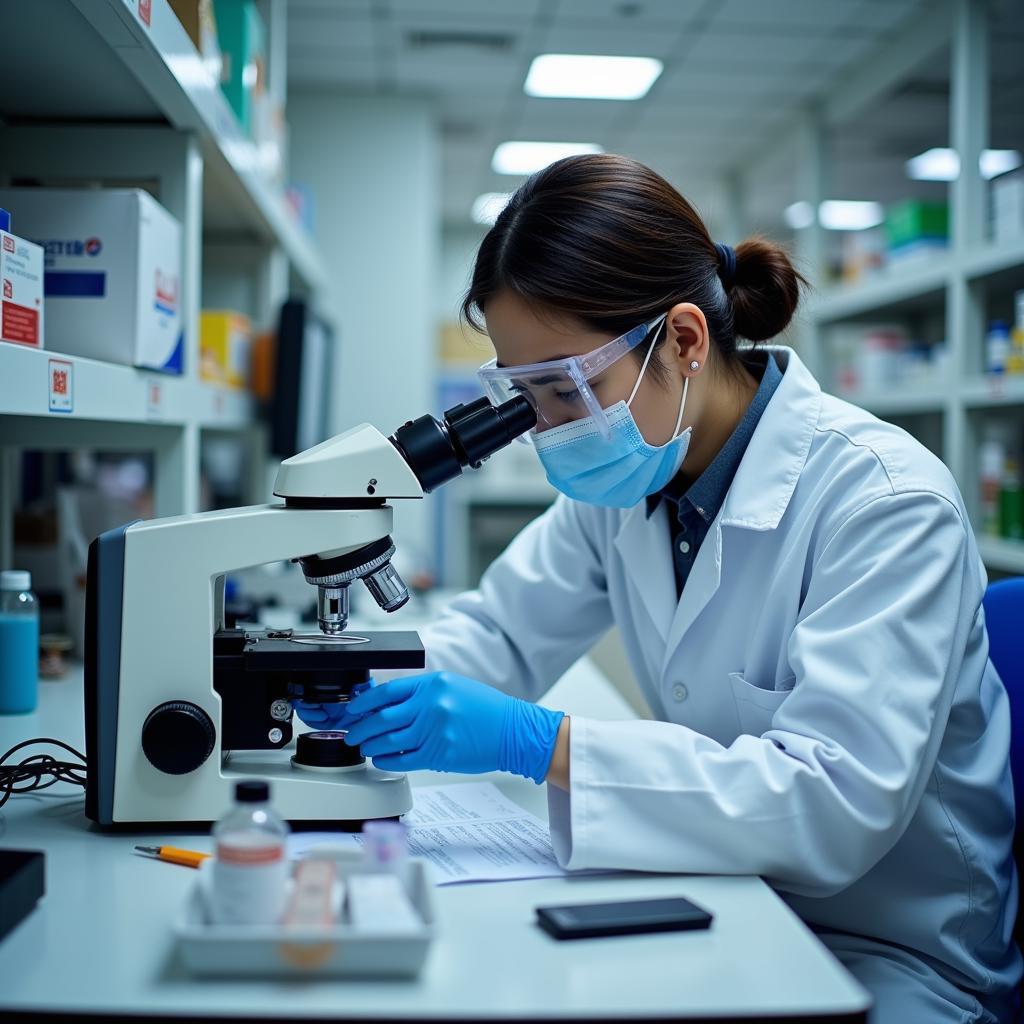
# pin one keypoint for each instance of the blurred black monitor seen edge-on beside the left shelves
(305, 357)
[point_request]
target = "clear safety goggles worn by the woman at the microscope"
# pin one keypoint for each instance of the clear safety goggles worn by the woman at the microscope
(561, 391)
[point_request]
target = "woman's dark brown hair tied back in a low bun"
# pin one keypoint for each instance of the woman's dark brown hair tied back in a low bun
(610, 242)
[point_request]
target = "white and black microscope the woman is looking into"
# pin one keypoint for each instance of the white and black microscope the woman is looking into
(180, 708)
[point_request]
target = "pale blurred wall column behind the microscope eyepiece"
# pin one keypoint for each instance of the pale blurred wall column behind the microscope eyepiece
(372, 165)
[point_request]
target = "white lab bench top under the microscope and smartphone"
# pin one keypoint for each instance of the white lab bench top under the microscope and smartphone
(100, 944)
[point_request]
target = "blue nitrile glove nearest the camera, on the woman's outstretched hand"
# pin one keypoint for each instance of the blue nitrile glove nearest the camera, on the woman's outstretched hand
(444, 722)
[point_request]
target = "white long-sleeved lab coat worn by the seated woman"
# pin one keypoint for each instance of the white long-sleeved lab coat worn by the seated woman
(830, 719)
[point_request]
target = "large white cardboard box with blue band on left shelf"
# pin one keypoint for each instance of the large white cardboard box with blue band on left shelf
(113, 273)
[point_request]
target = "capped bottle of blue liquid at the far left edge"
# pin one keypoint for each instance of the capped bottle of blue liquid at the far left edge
(19, 645)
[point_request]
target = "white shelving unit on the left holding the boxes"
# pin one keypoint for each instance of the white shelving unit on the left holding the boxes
(114, 92)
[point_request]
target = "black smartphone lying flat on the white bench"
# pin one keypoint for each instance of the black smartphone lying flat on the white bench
(584, 921)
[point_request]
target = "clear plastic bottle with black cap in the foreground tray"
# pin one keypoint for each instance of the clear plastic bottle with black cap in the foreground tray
(250, 870)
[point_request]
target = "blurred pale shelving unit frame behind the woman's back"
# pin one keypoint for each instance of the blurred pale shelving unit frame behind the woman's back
(953, 288)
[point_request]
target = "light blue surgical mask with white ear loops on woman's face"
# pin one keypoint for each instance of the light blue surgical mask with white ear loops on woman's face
(615, 473)
